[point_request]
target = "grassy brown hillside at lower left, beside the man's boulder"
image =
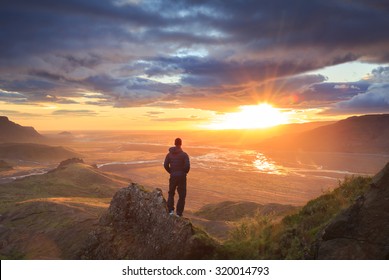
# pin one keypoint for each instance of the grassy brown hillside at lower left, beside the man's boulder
(50, 216)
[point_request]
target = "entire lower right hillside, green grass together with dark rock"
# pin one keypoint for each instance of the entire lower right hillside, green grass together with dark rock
(351, 222)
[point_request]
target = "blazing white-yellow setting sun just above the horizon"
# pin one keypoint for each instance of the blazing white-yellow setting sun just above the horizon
(250, 117)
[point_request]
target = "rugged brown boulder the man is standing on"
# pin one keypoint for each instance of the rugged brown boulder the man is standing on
(138, 226)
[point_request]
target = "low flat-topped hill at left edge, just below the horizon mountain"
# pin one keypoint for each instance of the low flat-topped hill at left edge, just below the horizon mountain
(35, 152)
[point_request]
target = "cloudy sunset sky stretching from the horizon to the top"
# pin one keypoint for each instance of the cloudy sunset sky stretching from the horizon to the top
(133, 64)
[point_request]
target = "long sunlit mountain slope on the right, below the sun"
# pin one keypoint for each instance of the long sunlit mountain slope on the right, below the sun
(363, 134)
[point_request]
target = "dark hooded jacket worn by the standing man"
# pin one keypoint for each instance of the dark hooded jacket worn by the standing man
(177, 162)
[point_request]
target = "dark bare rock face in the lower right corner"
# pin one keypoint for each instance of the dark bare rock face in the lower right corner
(361, 231)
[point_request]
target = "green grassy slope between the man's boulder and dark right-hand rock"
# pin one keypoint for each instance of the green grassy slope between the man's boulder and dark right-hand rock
(293, 237)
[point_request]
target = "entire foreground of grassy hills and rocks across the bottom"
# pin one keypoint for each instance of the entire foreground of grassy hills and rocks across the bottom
(63, 215)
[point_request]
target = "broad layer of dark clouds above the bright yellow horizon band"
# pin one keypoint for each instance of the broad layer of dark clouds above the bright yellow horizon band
(126, 51)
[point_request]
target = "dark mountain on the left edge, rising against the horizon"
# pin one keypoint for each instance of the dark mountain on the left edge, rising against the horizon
(12, 132)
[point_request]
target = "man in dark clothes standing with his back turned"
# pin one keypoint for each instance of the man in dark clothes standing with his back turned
(177, 165)
